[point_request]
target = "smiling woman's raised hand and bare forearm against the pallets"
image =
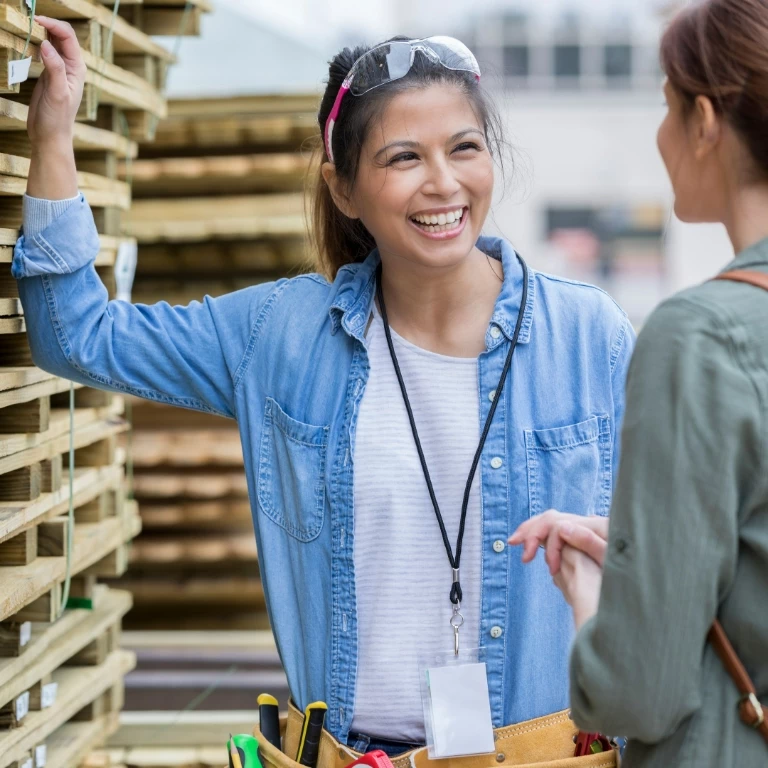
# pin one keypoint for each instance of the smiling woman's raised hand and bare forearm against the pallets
(52, 113)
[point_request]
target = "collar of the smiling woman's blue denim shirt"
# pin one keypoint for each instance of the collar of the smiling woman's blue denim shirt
(356, 285)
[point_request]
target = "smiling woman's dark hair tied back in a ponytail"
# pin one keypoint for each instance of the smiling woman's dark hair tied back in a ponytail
(336, 239)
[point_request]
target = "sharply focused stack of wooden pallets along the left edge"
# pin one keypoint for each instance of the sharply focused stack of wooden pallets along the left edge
(61, 665)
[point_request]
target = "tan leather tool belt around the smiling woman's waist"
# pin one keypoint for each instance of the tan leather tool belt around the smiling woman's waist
(547, 742)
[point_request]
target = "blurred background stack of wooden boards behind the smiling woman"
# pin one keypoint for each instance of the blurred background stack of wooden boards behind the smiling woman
(218, 206)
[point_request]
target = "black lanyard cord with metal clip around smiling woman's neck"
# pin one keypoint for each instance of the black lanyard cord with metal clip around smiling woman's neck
(454, 560)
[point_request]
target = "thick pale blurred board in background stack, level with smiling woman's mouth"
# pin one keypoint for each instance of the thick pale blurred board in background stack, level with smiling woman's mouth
(190, 219)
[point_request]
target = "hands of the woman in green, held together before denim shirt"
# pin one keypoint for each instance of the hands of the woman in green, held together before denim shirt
(575, 550)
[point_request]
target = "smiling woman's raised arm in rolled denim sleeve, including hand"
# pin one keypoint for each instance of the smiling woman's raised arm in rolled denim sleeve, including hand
(188, 356)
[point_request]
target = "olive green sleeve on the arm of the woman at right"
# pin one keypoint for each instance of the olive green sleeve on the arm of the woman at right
(688, 443)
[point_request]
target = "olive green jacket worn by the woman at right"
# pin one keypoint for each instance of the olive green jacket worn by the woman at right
(688, 536)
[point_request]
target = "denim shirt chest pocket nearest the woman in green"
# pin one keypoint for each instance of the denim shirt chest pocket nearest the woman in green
(570, 468)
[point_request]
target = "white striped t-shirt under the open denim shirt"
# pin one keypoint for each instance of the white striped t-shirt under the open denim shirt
(402, 574)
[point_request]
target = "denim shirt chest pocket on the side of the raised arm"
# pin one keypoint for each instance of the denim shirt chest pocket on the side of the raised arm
(291, 486)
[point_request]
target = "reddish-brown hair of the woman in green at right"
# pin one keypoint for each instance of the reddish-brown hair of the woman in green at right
(719, 49)
